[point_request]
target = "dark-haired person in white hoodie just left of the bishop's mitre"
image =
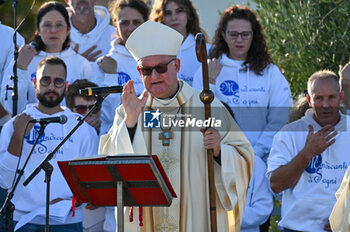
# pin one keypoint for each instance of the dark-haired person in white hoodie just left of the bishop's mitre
(127, 15)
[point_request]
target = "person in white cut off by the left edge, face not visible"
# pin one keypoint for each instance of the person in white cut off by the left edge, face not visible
(6, 56)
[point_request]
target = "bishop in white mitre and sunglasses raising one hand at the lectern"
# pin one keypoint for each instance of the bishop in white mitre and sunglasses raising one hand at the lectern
(181, 150)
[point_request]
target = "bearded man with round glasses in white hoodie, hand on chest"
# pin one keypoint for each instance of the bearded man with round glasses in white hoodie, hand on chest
(29, 201)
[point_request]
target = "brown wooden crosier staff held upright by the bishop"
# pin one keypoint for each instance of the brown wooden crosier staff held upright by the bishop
(207, 97)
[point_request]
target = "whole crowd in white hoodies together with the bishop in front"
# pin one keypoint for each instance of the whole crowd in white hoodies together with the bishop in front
(264, 147)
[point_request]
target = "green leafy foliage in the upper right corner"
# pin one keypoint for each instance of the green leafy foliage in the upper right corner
(305, 36)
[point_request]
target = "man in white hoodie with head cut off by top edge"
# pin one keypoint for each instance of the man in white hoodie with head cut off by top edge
(90, 28)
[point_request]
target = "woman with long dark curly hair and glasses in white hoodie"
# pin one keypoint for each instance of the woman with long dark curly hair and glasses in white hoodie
(242, 75)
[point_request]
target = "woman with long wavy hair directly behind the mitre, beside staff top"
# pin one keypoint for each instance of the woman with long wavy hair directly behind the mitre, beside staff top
(181, 16)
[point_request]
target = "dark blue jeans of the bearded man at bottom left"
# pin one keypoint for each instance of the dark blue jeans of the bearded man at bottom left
(76, 227)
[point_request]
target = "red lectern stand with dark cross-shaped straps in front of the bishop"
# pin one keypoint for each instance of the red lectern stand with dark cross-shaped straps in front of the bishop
(123, 180)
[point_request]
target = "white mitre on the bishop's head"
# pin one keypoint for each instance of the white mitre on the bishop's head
(152, 38)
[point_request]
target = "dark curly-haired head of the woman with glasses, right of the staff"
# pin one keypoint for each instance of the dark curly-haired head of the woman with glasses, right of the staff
(252, 48)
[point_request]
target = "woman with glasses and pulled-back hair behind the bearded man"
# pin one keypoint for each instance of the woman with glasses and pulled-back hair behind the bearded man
(51, 39)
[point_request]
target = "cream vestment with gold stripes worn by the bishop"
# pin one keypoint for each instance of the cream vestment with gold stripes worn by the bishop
(185, 164)
